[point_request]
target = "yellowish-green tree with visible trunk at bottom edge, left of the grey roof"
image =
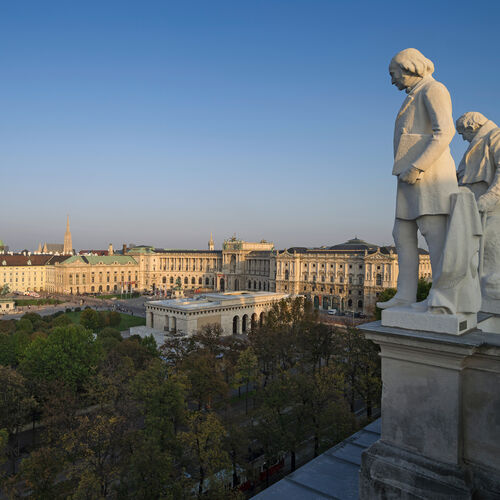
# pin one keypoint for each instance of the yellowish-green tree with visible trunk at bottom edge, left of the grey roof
(203, 444)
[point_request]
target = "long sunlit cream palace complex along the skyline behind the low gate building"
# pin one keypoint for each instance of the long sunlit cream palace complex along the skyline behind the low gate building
(348, 277)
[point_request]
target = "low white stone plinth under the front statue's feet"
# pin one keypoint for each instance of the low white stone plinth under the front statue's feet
(411, 319)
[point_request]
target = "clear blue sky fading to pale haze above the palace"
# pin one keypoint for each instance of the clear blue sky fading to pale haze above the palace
(157, 122)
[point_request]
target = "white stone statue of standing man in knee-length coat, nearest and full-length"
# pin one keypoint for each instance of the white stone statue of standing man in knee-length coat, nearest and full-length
(424, 167)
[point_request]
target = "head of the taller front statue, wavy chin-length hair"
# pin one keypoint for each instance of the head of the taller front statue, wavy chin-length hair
(408, 67)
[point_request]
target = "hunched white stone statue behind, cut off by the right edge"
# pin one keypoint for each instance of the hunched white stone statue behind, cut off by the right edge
(479, 170)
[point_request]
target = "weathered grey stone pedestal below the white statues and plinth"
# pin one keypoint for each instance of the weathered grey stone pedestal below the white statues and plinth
(440, 416)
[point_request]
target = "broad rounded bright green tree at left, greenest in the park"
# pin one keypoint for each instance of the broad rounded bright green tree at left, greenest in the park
(69, 354)
